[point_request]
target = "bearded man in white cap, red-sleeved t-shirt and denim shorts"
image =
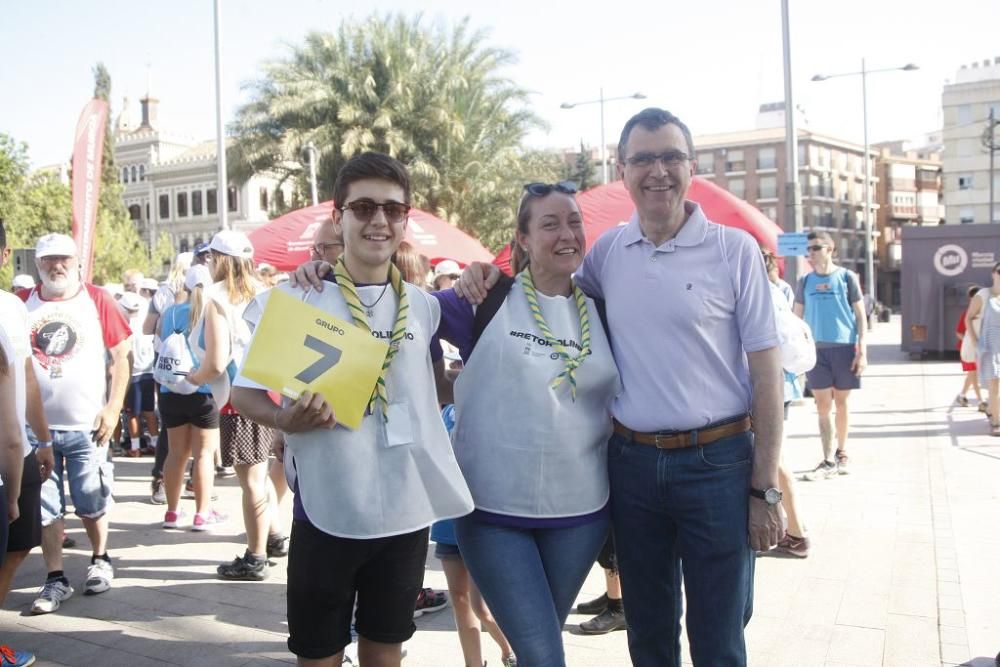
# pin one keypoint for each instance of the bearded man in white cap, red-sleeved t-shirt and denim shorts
(75, 329)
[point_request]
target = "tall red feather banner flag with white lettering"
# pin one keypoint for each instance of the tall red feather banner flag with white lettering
(88, 151)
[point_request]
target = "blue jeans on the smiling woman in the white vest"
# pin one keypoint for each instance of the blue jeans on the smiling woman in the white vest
(530, 579)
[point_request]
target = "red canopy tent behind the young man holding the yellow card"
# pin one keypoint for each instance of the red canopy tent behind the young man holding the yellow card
(285, 241)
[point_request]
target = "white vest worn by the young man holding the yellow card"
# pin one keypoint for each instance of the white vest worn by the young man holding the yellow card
(353, 483)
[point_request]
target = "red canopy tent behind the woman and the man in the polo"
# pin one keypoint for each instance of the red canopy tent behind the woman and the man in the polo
(607, 206)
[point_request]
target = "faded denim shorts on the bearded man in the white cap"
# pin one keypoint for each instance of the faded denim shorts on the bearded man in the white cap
(88, 470)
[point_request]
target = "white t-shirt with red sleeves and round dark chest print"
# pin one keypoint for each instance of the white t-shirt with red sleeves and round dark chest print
(69, 340)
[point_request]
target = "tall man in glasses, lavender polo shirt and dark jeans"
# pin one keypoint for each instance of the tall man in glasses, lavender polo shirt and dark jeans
(693, 490)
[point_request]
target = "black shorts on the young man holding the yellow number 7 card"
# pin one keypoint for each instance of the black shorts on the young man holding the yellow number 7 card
(325, 573)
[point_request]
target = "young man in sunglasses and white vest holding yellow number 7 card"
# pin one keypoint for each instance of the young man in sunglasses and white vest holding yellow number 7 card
(367, 539)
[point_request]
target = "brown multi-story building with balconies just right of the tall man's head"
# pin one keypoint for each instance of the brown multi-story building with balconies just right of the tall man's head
(752, 165)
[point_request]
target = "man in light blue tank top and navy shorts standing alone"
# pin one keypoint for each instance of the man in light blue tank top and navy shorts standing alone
(829, 300)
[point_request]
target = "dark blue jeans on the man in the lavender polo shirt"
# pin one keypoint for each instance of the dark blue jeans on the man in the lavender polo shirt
(684, 511)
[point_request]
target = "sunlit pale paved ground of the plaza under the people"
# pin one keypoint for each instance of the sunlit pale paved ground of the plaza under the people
(904, 568)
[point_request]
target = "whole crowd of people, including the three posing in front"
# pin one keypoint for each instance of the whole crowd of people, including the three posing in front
(595, 406)
